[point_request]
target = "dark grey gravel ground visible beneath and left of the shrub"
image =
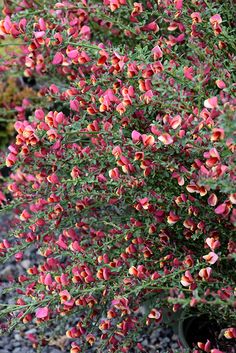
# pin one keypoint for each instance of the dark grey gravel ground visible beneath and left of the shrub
(162, 340)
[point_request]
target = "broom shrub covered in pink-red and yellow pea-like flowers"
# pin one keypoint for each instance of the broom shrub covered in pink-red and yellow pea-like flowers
(124, 175)
